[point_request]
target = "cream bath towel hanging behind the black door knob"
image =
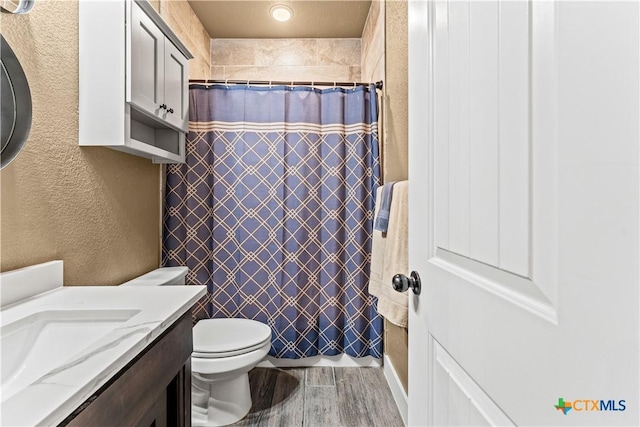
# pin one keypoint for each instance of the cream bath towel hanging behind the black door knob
(390, 256)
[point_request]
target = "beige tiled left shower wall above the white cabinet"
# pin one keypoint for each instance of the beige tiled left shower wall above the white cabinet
(183, 20)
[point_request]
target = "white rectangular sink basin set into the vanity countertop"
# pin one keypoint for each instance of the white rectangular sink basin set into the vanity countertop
(39, 343)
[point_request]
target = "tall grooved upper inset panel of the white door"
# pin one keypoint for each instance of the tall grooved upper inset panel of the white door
(482, 156)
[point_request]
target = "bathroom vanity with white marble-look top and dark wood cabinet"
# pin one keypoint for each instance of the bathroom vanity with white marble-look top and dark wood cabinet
(94, 355)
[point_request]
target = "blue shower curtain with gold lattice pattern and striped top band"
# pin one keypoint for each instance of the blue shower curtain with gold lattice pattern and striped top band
(273, 211)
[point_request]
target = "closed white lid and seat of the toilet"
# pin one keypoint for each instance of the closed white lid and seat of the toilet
(228, 337)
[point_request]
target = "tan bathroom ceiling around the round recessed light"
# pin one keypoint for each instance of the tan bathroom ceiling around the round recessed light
(311, 19)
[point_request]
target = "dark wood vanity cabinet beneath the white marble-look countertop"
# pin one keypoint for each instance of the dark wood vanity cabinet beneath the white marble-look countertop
(153, 390)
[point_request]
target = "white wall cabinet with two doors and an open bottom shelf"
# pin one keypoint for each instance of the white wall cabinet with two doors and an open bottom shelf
(133, 81)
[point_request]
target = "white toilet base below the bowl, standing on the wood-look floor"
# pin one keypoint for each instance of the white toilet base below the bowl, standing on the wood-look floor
(219, 402)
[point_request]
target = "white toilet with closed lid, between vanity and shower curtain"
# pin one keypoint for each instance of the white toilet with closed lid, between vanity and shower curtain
(224, 351)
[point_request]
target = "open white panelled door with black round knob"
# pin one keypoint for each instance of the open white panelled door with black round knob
(524, 212)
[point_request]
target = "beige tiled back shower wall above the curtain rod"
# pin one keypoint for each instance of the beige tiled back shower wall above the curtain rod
(286, 59)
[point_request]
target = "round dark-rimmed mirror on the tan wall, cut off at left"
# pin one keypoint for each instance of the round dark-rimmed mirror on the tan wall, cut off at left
(15, 118)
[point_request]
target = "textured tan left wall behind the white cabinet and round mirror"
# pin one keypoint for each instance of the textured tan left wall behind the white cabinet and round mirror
(95, 208)
